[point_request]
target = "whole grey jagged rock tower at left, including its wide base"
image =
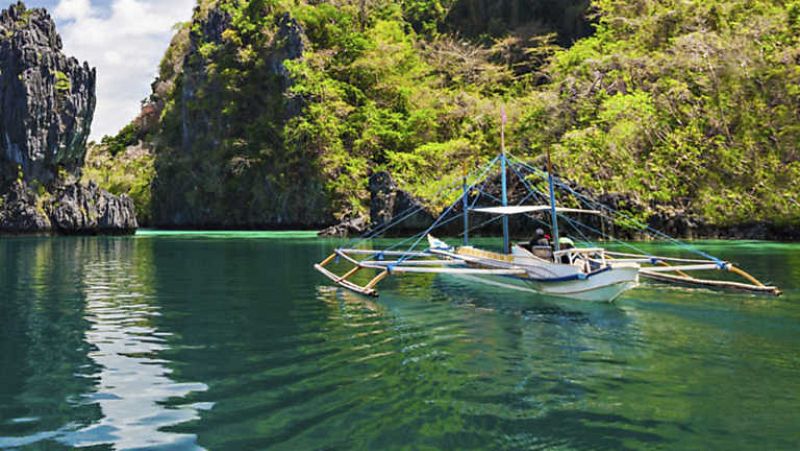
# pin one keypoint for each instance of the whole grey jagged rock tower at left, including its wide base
(47, 103)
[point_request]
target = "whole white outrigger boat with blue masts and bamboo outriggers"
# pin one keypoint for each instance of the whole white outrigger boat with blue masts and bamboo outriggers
(588, 273)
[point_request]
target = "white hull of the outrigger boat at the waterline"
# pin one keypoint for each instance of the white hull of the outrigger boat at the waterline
(602, 287)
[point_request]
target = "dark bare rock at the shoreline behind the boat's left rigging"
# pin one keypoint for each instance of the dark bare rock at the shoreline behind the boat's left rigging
(388, 203)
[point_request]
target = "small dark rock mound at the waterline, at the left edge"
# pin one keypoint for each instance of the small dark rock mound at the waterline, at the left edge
(20, 211)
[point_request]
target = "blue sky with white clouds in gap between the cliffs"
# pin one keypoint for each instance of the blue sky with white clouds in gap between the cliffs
(124, 40)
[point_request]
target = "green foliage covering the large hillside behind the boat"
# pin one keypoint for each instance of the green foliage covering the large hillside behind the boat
(693, 104)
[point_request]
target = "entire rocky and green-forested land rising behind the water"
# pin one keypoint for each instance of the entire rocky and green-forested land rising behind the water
(280, 115)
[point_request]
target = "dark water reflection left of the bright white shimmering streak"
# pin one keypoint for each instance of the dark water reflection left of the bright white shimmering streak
(44, 359)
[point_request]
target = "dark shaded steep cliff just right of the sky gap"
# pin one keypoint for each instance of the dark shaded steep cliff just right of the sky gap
(221, 161)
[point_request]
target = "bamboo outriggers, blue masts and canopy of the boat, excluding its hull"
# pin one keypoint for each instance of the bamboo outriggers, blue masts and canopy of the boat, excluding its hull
(435, 260)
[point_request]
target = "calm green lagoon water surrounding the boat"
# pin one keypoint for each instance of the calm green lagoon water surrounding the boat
(232, 341)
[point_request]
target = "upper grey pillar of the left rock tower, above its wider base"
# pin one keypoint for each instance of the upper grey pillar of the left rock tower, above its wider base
(47, 100)
